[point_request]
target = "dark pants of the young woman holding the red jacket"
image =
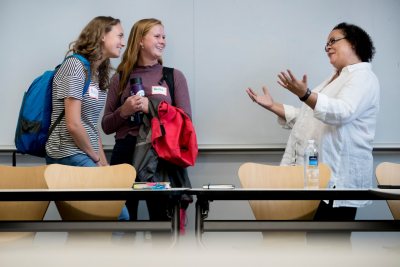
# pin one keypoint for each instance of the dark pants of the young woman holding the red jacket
(123, 153)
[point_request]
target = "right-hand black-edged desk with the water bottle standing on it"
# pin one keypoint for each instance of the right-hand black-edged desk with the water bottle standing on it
(204, 196)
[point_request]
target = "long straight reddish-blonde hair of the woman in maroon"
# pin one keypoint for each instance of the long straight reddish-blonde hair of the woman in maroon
(131, 55)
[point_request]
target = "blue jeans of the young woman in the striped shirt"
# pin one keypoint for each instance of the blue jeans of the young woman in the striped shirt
(84, 161)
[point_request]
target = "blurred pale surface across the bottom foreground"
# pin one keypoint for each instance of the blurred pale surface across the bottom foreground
(216, 249)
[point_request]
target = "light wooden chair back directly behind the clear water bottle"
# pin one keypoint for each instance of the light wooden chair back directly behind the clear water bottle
(253, 175)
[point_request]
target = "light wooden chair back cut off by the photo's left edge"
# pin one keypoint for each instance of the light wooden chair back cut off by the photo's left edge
(21, 178)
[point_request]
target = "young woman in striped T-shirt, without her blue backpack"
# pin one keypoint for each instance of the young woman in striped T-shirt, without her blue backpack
(76, 140)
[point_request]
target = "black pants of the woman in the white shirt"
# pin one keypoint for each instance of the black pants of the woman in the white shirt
(326, 212)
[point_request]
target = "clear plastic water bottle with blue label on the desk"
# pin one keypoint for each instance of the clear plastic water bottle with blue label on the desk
(311, 169)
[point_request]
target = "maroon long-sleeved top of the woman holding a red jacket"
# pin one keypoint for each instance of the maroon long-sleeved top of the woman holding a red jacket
(112, 121)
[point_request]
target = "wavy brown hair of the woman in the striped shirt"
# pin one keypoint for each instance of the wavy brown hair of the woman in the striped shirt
(89, 45)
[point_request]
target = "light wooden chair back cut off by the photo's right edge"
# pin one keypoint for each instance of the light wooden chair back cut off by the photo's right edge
(388, 173)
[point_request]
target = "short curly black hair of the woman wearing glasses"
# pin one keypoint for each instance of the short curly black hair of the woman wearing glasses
(359, 39)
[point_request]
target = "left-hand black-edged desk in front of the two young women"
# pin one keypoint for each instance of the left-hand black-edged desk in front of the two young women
(94, 194)
